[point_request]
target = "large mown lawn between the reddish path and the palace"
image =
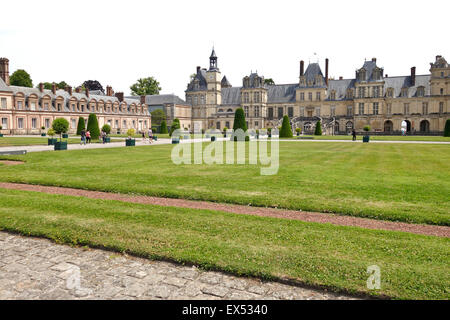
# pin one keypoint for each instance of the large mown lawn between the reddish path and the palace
(401, 182)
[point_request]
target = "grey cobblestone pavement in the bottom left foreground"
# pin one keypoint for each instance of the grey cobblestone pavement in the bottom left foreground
(32, 268)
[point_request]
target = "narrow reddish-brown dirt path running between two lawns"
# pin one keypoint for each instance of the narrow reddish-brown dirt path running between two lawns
(432, 230)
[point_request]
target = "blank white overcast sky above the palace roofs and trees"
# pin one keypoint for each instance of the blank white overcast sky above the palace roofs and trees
(117, 42)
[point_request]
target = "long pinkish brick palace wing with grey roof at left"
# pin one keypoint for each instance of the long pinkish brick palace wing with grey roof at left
(25, 110)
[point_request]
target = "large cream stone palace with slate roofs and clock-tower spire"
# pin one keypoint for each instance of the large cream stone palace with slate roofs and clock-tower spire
(417, 103)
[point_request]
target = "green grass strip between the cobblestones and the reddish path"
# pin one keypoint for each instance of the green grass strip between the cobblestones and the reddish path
(412, 266)
